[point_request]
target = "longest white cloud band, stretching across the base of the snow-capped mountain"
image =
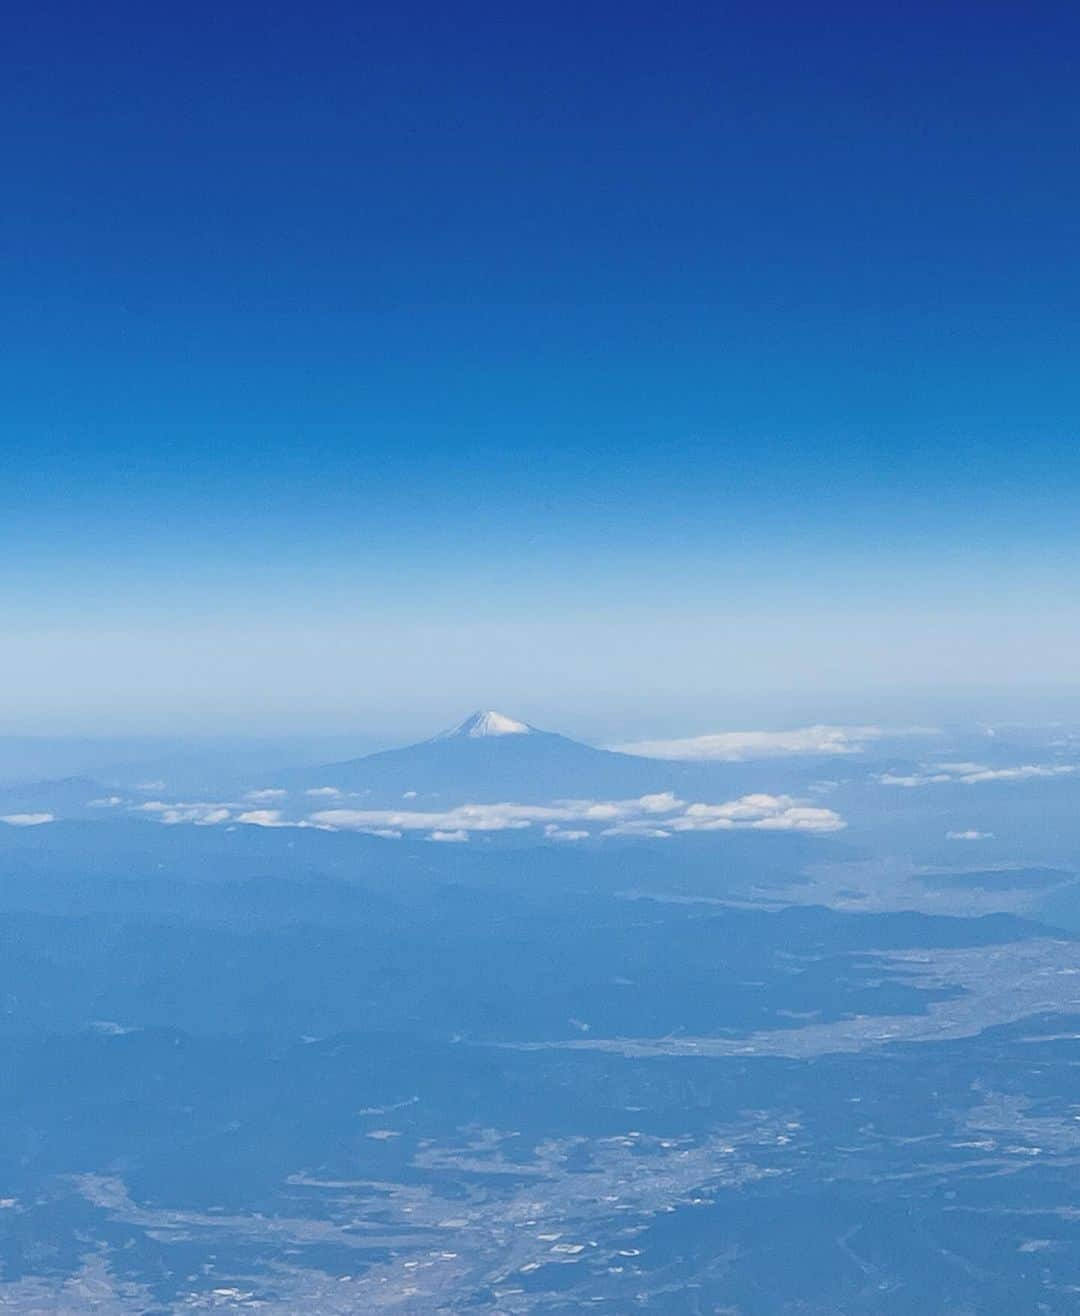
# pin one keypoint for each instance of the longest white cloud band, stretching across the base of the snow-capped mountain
(650, 815)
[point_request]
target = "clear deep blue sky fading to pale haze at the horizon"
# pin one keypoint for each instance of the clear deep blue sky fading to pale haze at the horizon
(569, 359)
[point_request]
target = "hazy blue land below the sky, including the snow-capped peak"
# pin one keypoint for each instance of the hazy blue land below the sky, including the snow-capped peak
(258, 1064)
